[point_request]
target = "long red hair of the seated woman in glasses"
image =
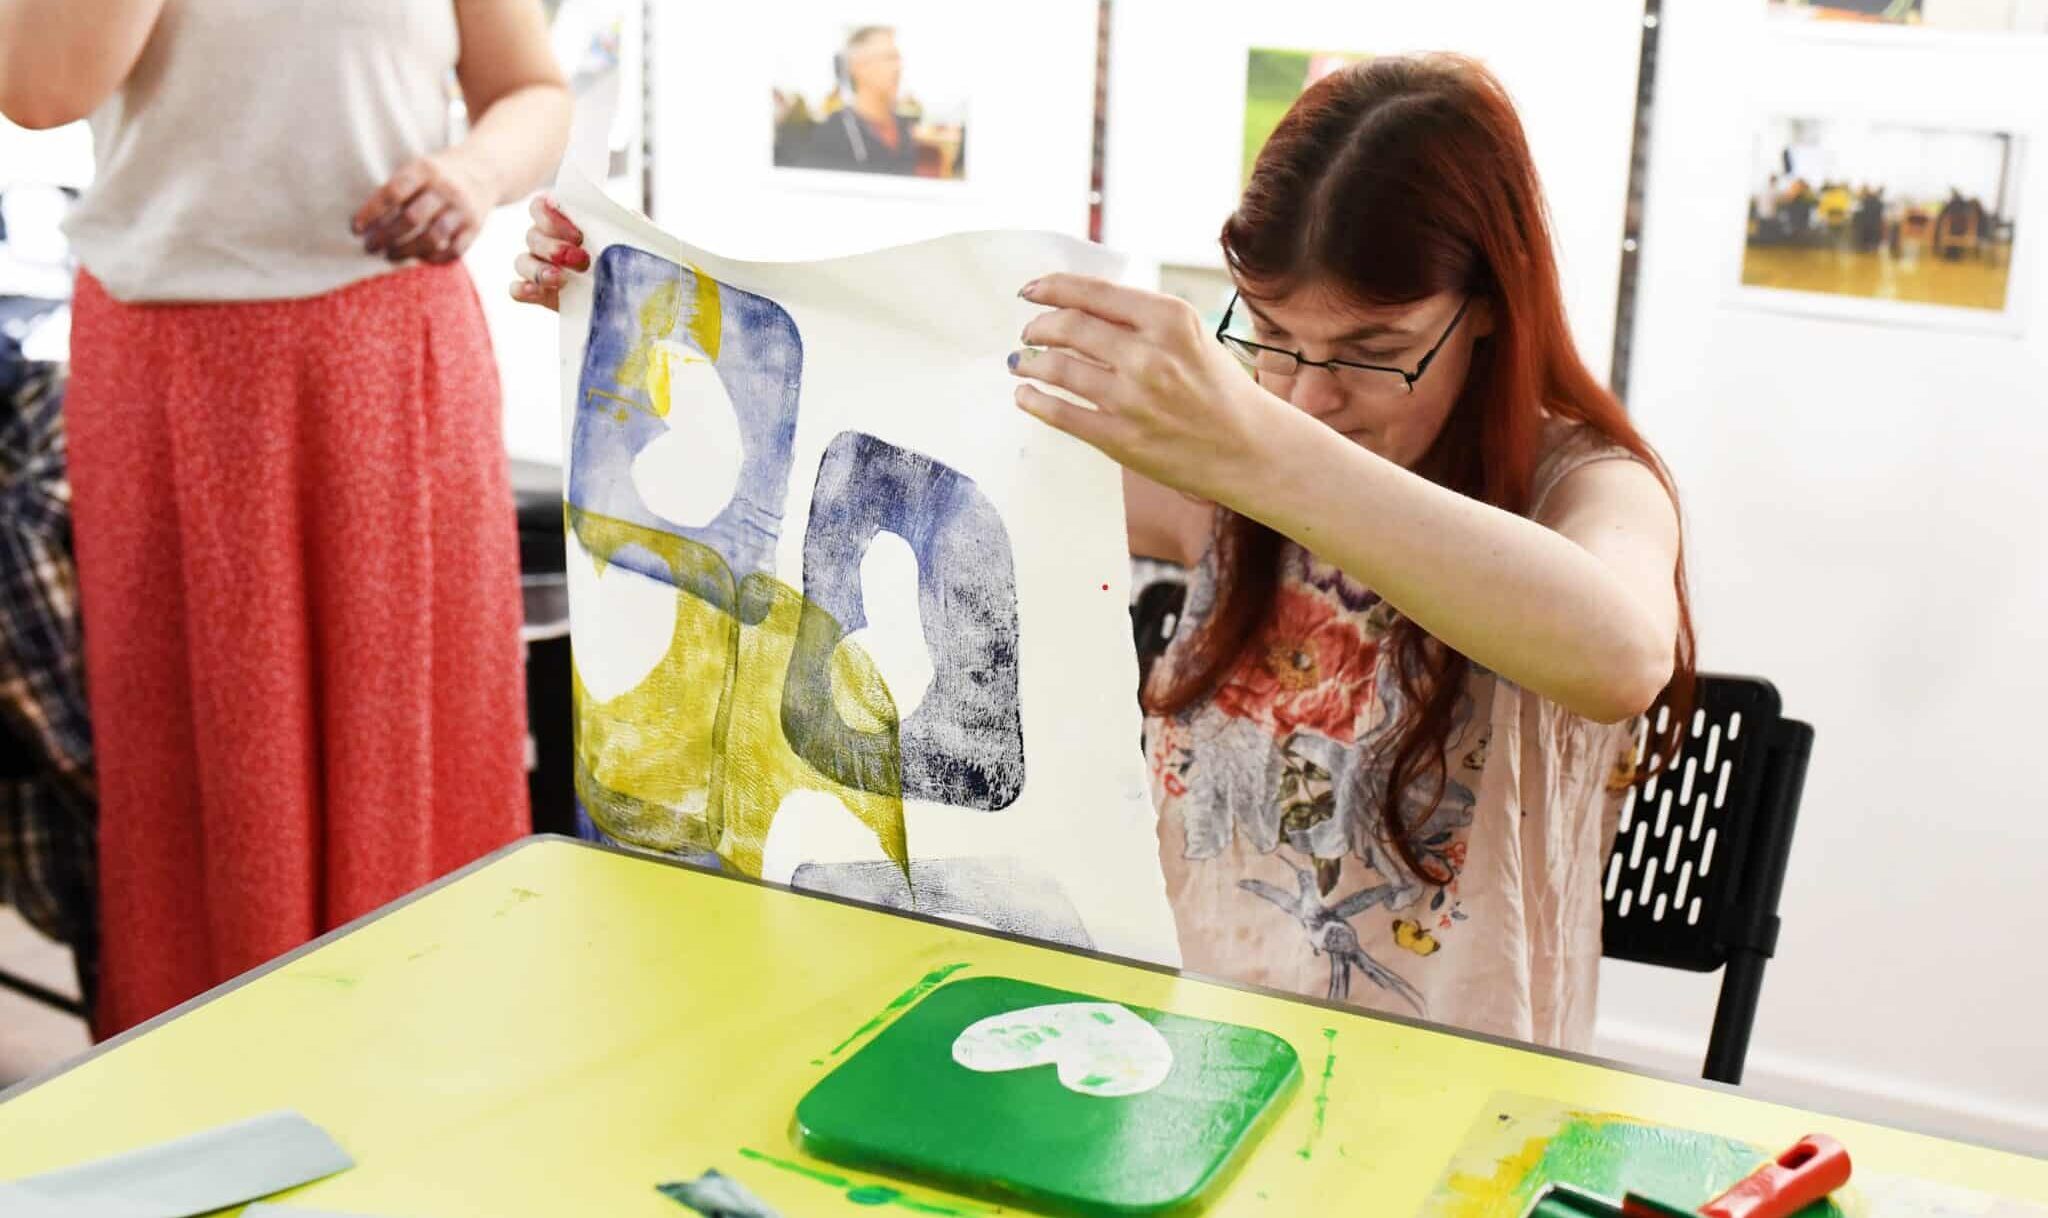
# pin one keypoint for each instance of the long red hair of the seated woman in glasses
(1390, 183)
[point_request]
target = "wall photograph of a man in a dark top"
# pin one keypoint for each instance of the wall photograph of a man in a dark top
(873, 99)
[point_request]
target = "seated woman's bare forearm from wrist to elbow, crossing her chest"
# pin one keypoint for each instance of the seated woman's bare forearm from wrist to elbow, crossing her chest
(1508, 593)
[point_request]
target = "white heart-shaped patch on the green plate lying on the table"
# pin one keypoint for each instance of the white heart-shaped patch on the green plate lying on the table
(1099, 1049)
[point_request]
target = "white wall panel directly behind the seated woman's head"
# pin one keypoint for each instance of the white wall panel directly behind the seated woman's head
(1179, 112)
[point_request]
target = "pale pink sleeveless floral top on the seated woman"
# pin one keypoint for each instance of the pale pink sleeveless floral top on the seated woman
(1275, 834)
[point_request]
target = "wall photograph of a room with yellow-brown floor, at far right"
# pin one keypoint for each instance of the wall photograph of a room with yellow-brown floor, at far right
(1885, 222)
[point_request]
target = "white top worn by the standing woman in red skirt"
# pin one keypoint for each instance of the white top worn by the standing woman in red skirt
(249, 134)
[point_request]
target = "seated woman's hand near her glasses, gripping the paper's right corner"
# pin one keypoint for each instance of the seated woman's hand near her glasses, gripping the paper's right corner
(1170, 402)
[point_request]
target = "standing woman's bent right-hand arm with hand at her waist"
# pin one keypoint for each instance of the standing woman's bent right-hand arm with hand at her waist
(519, 124)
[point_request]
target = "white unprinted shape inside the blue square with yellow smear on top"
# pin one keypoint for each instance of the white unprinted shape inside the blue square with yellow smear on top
(691, 472)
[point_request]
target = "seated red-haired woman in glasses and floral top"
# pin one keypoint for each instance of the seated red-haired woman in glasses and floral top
(1437, 570)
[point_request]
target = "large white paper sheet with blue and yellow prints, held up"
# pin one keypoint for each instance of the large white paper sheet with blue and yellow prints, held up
(841, 613)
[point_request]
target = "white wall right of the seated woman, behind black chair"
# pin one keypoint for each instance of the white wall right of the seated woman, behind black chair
(1867, 517)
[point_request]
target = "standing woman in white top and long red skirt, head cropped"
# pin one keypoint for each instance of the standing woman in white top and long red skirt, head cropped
(294, 519)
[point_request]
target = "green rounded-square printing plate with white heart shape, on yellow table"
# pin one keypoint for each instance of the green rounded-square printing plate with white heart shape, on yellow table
(1048, 1098)
